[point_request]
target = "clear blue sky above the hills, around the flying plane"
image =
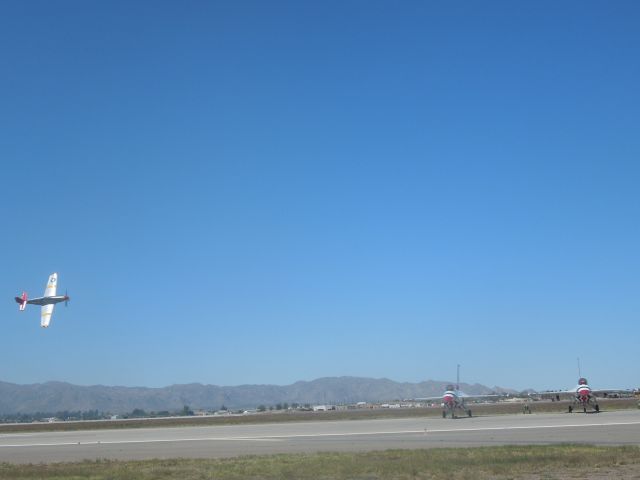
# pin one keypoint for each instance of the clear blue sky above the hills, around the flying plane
(265, 192)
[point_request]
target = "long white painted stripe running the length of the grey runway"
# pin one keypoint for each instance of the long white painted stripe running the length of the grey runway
(318, 435)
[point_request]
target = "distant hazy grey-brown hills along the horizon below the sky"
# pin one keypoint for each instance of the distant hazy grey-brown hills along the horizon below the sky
(60, 396)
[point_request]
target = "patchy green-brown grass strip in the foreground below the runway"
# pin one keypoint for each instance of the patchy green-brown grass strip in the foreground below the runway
(507, 462)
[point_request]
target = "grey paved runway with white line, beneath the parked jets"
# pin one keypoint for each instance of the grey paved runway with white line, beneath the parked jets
(606, 428)
